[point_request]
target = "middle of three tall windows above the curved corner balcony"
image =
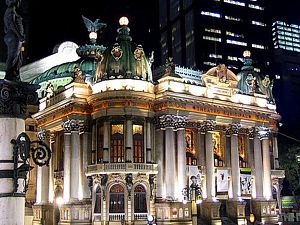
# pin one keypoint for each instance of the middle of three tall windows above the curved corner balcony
(117, 143)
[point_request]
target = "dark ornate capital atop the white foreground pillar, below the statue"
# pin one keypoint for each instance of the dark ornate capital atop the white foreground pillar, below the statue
(15, 96)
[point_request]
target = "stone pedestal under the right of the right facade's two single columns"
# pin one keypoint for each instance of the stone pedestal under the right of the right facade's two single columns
(236, 211)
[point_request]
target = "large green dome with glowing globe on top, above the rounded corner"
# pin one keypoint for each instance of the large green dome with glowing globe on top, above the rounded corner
(124, 59)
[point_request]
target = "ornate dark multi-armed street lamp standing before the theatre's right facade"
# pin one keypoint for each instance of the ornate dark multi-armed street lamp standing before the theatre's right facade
(194, 194)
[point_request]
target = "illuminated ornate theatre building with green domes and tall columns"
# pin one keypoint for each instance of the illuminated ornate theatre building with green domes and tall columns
(177, 144)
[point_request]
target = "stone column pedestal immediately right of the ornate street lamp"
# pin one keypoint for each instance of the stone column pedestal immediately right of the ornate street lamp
(210, 212)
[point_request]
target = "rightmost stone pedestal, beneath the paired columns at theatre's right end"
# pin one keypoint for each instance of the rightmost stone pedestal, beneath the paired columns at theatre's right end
(265, 211)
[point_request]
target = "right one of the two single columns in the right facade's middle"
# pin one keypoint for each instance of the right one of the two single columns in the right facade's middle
(235, 163)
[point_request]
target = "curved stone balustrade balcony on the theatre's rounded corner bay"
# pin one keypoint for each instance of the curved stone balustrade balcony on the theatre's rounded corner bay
(122, 168)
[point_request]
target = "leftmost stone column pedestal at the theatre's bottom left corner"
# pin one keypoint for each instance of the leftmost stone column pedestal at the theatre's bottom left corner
(43, 214)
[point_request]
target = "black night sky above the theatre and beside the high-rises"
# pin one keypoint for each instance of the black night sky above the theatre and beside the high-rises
(51, 22)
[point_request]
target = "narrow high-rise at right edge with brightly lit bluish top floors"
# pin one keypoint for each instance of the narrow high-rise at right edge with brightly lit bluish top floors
(286, 45)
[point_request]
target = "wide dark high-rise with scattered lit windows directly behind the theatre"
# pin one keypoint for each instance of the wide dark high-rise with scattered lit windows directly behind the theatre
(205, 33)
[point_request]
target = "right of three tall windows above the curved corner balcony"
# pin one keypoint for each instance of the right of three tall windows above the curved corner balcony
(138, 144)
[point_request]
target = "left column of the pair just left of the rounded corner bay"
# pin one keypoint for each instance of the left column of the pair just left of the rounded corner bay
(67, 160)
